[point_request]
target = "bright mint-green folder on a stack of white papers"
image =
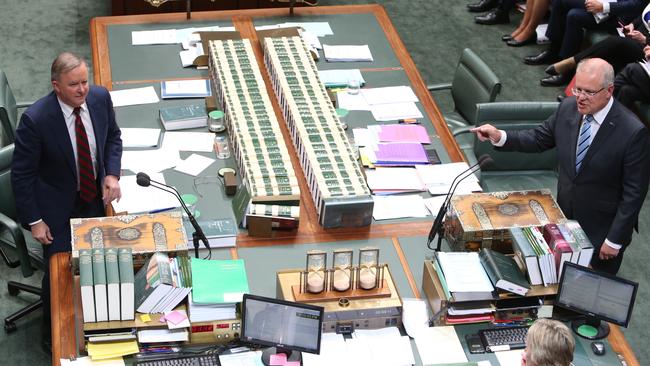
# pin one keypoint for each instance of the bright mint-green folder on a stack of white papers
(218, 286)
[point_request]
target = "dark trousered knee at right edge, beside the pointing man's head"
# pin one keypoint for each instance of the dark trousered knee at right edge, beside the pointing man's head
(632, 85)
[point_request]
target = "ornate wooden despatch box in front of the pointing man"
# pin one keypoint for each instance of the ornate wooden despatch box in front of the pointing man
(481, 220)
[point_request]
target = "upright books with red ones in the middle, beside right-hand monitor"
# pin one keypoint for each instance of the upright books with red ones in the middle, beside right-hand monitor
(541, 252)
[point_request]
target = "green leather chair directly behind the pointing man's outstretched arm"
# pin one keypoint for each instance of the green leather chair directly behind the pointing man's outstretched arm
(512, 171)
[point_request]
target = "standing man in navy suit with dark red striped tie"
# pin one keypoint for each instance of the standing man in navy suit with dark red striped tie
(66, 160)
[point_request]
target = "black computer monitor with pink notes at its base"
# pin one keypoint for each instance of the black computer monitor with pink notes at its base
(284, 326)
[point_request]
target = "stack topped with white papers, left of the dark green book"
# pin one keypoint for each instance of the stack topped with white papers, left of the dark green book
(470, 294)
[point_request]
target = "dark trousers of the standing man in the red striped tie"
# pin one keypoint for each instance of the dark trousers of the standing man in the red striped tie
(81, 209)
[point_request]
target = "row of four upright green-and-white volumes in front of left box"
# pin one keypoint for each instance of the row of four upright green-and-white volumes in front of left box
(106, 278)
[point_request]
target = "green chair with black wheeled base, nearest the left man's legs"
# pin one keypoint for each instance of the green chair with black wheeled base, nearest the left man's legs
(30, 253)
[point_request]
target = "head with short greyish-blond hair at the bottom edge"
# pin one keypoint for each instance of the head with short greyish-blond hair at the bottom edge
(548, 343)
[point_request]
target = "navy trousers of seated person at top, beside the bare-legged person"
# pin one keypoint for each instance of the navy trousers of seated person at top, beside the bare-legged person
(565, 27)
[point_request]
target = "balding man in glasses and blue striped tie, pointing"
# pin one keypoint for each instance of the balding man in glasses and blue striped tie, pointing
(603, 157)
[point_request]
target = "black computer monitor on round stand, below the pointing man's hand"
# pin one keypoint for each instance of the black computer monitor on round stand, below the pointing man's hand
(598, 296)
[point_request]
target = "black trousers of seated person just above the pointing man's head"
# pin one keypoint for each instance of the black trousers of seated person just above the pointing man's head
(618, 51)
